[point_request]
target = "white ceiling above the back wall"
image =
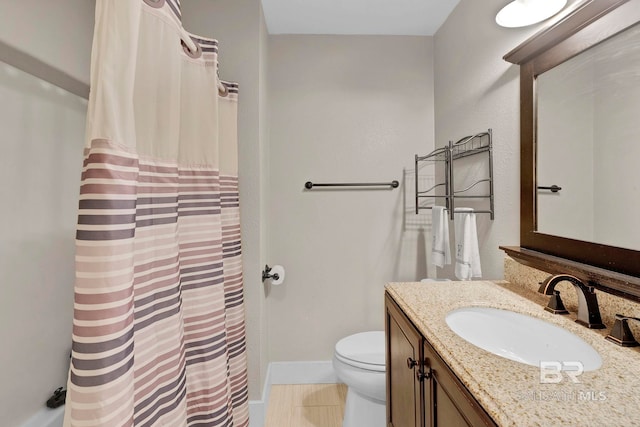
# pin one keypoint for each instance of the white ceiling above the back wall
(365, 17)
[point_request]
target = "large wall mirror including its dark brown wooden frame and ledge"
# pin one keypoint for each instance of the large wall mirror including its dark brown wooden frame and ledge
(566, 131)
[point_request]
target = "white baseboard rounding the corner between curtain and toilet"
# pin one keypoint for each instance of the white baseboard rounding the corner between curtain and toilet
(317, 372)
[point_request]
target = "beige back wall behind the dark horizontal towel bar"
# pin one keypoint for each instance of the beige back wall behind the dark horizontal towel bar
(350, 109)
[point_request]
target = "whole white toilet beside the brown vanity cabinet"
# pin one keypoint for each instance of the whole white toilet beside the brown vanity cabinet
(359, 362)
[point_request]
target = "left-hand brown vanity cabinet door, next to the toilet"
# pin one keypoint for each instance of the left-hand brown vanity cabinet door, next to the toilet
(404, 343)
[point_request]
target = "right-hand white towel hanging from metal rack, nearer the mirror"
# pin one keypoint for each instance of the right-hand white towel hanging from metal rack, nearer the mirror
(467, 252)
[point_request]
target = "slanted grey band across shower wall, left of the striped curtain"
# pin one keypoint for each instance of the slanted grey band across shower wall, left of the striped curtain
(34, 66)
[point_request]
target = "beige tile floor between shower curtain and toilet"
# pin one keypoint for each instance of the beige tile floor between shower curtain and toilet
(306, 405)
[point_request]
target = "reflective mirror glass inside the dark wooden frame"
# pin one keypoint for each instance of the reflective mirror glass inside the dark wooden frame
(588, 144)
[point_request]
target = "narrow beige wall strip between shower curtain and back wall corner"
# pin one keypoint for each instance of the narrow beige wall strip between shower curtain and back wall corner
(239, 27)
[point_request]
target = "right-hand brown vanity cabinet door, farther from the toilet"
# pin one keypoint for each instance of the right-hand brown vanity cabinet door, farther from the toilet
(448, 403)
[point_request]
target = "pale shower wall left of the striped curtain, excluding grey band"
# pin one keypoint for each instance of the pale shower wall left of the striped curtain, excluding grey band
(42, 141)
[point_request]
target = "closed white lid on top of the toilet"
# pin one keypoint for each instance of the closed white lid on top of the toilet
(364, 348)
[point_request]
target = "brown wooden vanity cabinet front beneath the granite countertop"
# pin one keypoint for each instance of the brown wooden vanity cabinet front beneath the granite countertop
(422, 391)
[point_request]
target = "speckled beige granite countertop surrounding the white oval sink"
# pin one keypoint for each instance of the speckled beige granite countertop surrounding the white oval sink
(512, 392)
